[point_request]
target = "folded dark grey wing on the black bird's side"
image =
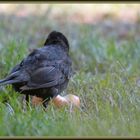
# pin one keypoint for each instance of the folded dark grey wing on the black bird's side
(44, 77)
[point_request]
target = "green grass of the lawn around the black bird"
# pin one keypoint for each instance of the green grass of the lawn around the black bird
(106, 80)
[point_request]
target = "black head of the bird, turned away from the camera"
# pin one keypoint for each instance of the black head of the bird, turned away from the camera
(57, 38)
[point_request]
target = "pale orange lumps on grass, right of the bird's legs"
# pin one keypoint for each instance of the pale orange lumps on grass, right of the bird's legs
(69, 99)
